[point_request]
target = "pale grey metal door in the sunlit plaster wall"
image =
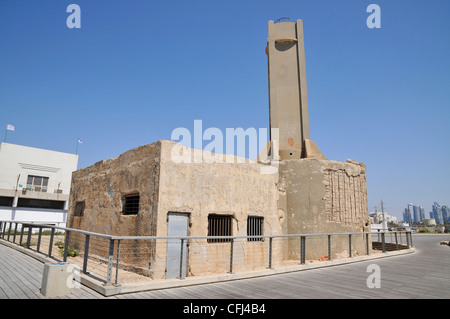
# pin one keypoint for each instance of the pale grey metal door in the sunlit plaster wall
(177, 225)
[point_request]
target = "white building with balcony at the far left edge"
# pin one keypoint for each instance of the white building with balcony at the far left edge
(35, 184)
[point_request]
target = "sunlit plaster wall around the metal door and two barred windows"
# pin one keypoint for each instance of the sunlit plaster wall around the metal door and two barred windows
(200, 189)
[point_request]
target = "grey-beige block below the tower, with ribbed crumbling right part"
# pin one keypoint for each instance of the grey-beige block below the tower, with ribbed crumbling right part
(322, 196)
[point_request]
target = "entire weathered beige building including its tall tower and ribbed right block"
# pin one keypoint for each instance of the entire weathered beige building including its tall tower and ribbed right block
(144, 192)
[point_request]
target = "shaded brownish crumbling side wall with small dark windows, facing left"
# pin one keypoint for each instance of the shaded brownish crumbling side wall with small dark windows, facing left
(102, 187)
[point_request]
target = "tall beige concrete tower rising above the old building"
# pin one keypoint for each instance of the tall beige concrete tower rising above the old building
(288, 99)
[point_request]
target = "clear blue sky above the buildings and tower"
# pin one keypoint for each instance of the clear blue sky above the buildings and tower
(136, 70)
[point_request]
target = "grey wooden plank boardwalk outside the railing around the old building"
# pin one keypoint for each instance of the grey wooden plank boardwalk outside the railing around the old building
(423, 274)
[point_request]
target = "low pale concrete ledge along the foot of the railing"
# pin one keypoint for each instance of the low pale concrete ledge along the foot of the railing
(111, 290)
